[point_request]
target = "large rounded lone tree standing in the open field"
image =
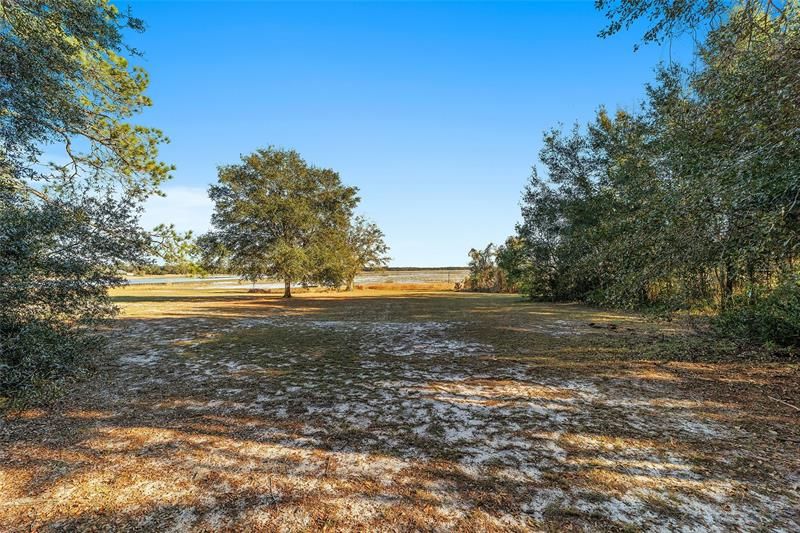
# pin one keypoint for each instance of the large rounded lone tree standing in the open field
(277, 216)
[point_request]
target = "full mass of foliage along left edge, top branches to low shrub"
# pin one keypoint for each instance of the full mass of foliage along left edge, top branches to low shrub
(68, 220)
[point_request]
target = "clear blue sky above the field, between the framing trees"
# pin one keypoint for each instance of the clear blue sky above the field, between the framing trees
(435, 111)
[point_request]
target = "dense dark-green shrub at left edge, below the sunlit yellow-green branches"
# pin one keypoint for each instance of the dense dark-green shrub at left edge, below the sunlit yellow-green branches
(55, 270)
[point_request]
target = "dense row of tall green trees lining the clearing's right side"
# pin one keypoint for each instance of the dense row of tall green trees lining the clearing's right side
(689, 202)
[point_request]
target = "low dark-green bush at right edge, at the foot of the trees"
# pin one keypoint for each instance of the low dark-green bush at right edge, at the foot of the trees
(773, 319)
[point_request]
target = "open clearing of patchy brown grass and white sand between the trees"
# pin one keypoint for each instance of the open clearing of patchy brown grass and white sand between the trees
(217, 409)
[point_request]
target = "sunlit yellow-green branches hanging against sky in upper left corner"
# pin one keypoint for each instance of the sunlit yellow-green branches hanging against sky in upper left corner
(66, 83)
